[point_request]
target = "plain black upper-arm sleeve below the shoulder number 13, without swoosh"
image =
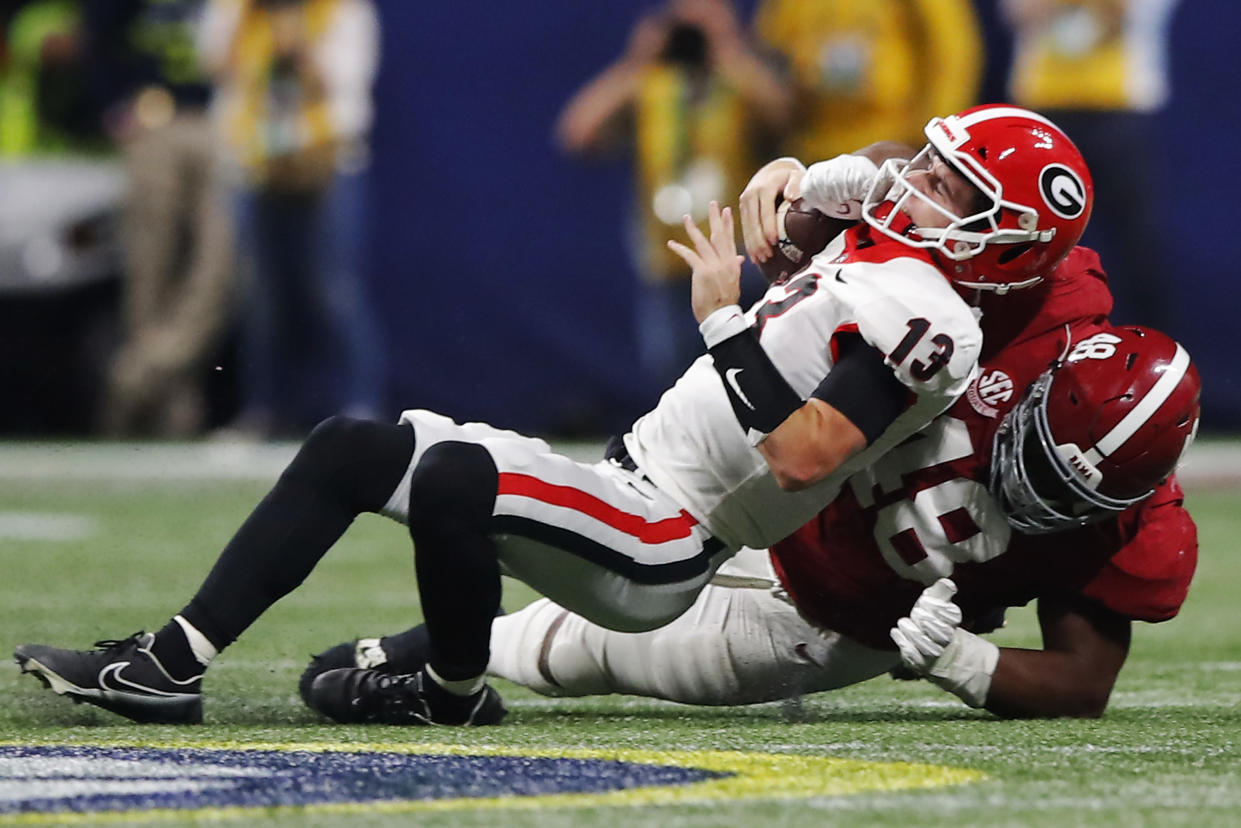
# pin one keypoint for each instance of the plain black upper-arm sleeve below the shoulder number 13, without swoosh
(863, 388)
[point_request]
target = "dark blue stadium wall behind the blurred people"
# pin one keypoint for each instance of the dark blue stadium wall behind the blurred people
(504, 285)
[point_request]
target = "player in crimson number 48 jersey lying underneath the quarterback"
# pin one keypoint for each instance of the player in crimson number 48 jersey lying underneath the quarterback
(826, 606)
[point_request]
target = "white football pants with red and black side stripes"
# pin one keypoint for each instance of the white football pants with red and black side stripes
(594, 537)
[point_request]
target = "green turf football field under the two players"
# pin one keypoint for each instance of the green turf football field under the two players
(97, 544)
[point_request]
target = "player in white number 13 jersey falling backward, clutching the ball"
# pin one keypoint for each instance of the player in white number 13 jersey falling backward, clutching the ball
(818, 380)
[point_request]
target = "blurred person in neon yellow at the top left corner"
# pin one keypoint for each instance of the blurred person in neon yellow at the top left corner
(45, 105)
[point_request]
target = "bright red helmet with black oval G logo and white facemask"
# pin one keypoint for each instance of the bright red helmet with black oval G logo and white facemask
(1037, 197)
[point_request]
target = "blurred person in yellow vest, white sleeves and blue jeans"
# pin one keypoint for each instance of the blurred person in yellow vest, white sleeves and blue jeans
(293, 92)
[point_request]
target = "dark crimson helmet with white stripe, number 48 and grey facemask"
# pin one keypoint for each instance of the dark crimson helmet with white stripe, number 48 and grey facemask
(1096, 433)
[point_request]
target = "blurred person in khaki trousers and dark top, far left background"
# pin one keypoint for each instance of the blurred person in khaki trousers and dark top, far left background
(155, 95)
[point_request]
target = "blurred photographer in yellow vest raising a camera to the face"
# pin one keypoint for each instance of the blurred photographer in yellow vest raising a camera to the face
(692, 100)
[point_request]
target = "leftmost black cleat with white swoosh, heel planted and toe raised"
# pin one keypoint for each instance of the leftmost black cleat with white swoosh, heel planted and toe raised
(123, 677)
